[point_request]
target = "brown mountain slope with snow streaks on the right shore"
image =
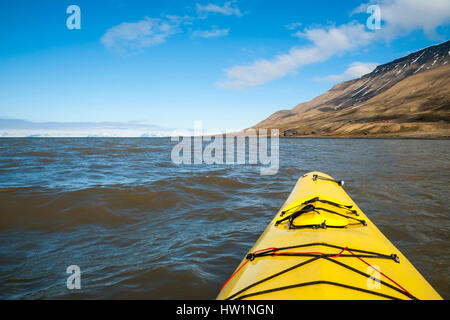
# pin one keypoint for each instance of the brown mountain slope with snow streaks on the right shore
(408, 97)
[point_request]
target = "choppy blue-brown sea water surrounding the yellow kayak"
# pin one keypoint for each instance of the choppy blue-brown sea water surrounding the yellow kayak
(141, 227)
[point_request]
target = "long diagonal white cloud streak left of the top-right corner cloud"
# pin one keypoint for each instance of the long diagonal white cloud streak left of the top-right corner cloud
(326, 43)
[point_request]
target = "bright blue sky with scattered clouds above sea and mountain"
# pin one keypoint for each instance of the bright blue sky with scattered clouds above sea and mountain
(229, 64)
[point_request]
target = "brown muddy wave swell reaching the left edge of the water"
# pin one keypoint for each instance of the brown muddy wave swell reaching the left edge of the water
(36, 208)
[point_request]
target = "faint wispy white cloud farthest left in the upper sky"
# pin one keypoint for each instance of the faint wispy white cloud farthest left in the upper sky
(142, 34)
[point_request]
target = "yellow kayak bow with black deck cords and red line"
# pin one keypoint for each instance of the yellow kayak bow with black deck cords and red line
(320, 245)
